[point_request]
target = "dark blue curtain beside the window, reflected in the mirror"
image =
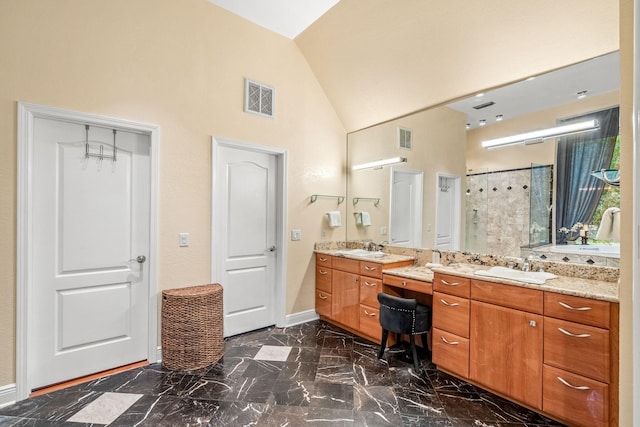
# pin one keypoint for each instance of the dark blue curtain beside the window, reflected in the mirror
(578, 193)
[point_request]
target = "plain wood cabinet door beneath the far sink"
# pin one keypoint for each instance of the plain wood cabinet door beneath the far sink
(346, 298)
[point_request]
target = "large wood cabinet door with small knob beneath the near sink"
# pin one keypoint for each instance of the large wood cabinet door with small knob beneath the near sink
(506, 351)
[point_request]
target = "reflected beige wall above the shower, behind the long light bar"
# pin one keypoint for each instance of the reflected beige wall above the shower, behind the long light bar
(521, 156)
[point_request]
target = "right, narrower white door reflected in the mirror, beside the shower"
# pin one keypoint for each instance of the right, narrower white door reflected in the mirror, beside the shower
(447, 213)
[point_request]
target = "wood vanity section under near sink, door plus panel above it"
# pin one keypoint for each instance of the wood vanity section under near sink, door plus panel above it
(506, 340)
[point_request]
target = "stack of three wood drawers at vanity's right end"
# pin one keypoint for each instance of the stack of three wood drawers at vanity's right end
(580, 372)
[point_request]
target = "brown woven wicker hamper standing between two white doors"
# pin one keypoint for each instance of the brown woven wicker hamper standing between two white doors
(192, 327)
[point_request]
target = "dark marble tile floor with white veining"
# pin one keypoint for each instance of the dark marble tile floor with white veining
(311, 374)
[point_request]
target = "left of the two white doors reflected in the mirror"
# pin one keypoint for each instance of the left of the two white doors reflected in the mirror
(405, 217)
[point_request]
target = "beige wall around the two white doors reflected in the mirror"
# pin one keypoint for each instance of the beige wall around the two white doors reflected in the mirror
(438, 140)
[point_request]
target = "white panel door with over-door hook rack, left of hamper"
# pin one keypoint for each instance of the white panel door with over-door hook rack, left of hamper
(90, 297)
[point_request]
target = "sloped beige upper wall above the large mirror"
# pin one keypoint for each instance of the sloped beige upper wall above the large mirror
(438, 51)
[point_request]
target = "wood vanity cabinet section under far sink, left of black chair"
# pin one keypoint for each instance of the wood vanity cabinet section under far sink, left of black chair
(347, 293)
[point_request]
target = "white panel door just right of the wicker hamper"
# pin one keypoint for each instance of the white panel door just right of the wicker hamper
(247, 188)
